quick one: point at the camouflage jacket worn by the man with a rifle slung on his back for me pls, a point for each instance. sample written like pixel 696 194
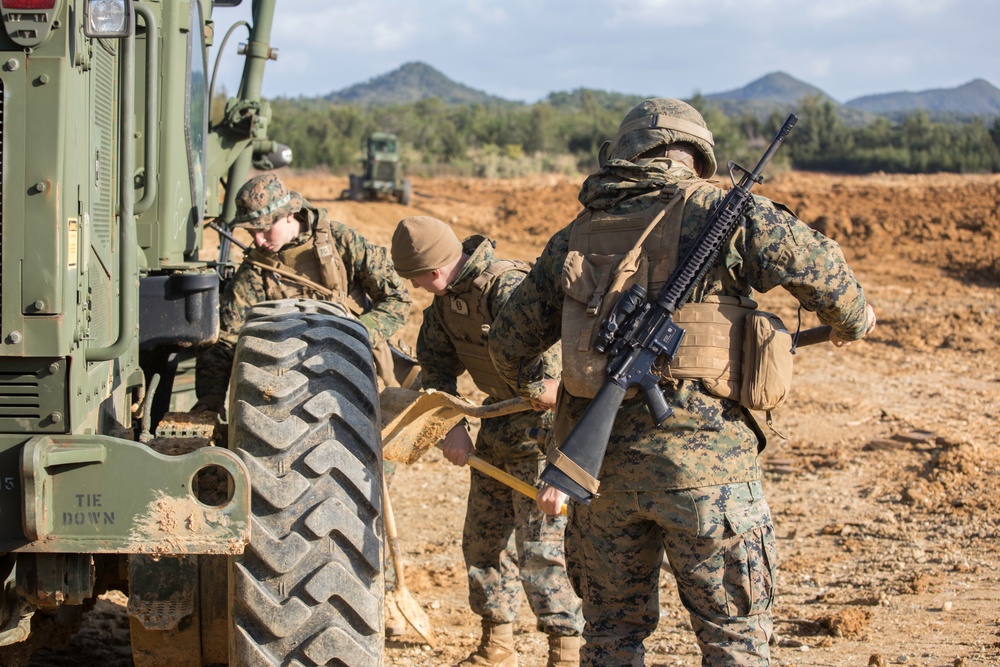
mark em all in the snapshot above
pixel 708 440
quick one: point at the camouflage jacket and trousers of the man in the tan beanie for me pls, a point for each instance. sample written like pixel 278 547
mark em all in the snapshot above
pixel 506 538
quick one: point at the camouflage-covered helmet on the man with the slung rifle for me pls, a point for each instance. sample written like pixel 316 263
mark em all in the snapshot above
pixel 661 121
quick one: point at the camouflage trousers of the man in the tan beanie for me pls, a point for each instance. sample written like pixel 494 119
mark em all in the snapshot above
pixel 508 544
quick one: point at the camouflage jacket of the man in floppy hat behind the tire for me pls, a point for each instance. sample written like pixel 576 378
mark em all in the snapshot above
pixel 368 269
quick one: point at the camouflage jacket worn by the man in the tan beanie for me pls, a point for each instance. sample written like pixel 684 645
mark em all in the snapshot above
pixel 501 439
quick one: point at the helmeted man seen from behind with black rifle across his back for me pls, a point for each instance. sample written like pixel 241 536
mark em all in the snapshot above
pixel 681 474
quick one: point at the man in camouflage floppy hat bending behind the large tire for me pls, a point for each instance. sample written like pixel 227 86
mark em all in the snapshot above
pixel 356 272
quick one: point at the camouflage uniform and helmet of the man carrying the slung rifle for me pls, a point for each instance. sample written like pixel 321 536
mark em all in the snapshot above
pixel 690 488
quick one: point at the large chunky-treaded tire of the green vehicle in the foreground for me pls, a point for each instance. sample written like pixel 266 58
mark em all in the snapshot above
pixel 304 417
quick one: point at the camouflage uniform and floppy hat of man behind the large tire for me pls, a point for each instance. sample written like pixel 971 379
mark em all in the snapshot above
pixel 262 202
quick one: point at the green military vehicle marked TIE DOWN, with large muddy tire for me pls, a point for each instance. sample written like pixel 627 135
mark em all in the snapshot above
pixel 264 550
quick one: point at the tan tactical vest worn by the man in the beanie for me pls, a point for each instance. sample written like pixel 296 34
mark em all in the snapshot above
pixel 466 318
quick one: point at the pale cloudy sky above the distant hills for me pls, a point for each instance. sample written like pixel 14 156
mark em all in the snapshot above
pixel 525 49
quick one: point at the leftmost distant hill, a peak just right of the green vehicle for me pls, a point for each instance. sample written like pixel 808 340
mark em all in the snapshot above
pixel 411 82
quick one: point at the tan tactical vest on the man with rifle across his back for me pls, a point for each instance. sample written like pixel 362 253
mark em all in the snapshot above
pixel 610 253
